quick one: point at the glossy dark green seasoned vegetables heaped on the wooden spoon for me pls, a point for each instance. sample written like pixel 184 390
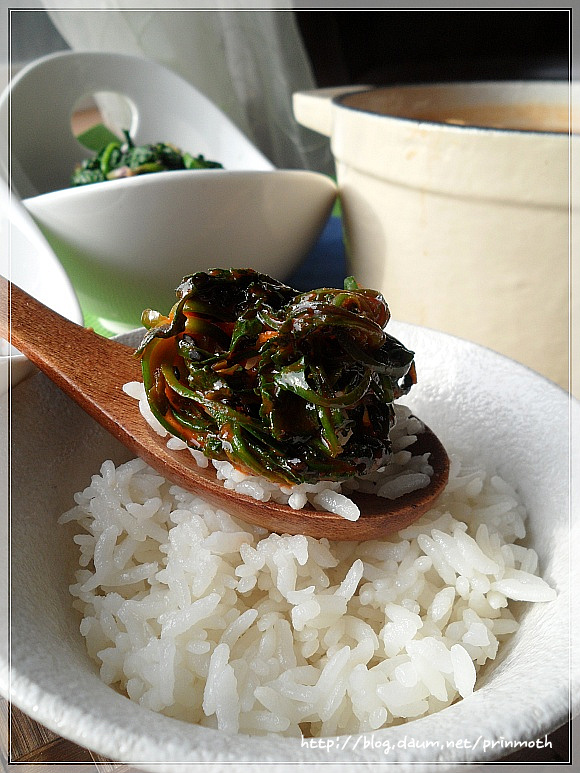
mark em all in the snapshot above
pixel 292 386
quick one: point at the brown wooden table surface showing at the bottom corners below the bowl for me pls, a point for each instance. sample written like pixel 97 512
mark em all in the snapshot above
pixel 22 740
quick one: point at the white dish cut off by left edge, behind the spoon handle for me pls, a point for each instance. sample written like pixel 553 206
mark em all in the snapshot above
pixel 27 260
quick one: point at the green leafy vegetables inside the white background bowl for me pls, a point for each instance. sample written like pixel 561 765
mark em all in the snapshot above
pixel 125 159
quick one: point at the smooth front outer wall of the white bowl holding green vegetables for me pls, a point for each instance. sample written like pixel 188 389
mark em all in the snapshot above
pixel 127 245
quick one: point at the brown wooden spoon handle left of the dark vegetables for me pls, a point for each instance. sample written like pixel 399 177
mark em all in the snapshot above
pixel 88 367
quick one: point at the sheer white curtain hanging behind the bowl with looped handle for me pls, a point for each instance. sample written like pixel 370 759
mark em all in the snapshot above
pixel 248 62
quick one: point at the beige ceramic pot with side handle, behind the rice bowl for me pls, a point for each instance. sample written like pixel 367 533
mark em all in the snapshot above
pixel 456 203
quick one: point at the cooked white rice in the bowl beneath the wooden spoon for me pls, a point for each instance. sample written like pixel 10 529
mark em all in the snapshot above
pixel 197 615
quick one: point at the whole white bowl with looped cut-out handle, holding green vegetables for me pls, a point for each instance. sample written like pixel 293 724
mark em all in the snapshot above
pixel 127 243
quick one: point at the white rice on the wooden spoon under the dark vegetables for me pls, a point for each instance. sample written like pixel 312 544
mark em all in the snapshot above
pixel 404 472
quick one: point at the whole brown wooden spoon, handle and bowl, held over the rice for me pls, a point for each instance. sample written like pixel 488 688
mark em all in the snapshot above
pixel 92 370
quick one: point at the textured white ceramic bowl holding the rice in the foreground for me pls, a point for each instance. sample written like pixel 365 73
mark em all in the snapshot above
pixel 476 400
